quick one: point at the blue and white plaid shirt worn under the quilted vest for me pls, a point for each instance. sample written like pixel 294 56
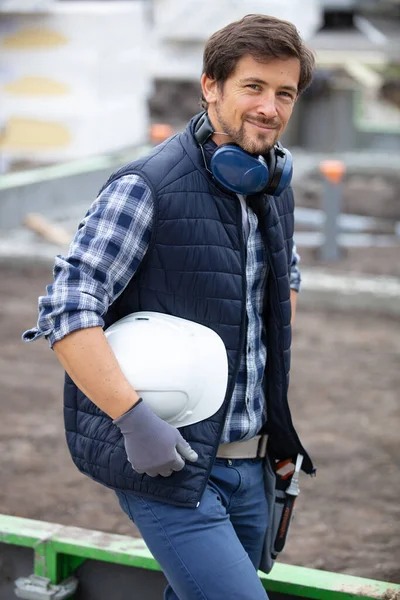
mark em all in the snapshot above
pixel 104 255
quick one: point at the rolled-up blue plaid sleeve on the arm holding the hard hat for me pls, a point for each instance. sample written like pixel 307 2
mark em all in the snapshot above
pixel 105 253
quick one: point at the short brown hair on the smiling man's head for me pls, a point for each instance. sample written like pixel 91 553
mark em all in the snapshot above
pixel 261 36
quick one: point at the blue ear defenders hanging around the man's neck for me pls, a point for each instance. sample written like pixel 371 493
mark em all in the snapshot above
pixel 243 173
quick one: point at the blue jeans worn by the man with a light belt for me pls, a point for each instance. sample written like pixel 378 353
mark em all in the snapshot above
pixel 211 552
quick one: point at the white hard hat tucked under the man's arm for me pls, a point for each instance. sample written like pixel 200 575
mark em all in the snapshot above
pixel 178 367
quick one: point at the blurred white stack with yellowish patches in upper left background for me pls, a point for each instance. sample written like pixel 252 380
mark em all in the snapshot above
pixel 73 81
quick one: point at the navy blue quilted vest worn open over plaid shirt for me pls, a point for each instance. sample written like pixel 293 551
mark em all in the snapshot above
pixel 195 269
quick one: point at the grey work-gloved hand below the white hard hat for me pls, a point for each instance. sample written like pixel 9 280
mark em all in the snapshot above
pixel 153 446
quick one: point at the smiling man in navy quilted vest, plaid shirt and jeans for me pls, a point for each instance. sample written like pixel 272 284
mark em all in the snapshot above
pixel 166 235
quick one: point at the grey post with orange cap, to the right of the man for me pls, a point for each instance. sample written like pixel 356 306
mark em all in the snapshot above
pixel 333 171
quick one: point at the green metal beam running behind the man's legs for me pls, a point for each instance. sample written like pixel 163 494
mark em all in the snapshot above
pixel 60 549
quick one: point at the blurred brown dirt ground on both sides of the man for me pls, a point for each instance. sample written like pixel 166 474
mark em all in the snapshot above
pixel 345 401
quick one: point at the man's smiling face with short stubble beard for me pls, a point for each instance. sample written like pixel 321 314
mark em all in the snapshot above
pixel 255 103
